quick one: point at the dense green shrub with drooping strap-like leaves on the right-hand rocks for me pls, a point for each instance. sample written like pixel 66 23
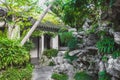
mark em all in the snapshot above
pixel 107 45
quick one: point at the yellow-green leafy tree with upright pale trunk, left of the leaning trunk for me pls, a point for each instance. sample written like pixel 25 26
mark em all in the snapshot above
pixel 18 13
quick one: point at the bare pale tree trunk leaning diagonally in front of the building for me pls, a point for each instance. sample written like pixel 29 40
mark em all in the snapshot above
pixel 35 25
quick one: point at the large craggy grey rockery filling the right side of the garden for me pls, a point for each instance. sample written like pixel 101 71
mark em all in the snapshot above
pixel 89 58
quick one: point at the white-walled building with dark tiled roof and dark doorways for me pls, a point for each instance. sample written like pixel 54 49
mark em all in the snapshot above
pixel 46 41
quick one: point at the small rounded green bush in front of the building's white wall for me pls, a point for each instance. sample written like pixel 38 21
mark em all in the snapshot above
pixel 50 53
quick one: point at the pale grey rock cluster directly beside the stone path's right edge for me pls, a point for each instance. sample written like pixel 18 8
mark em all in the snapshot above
pixel 62 66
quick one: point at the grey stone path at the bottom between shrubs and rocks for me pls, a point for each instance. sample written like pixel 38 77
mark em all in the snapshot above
pixel 42 73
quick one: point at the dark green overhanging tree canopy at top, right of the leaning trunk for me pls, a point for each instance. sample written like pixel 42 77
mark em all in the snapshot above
pixel 74 12
